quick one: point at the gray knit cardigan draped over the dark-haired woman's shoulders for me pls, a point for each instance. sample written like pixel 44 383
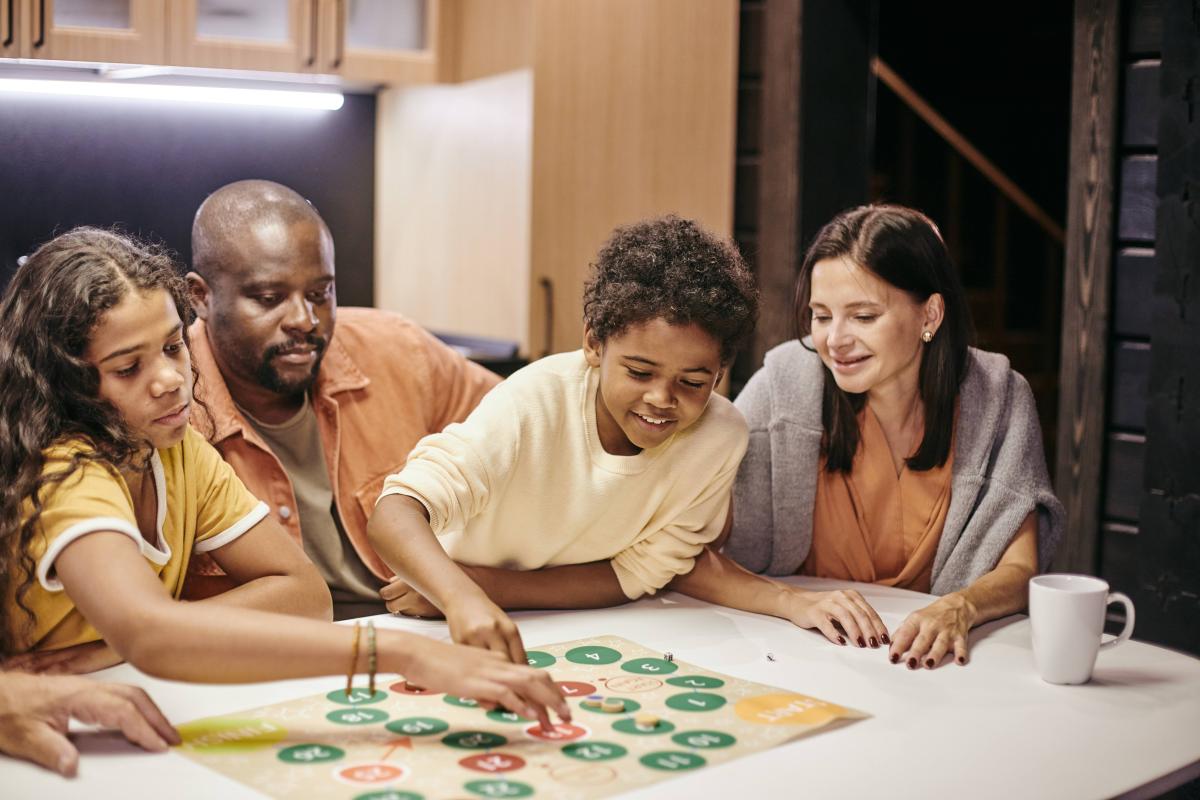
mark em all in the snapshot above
pixel 1000 471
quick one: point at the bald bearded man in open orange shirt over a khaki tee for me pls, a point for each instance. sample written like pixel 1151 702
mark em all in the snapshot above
pixel 313 423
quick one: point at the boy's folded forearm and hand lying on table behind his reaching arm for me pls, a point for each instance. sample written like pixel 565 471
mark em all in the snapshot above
pixel 577 586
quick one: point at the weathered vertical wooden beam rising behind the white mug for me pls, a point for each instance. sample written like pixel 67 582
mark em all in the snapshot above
pixel 1085 312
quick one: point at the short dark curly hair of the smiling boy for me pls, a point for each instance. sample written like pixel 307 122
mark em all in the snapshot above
pixel 674 269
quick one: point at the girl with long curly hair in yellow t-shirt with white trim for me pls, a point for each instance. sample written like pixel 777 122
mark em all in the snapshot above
pixel 106 494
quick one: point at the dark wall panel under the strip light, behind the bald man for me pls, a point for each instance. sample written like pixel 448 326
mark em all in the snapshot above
pixel 147 167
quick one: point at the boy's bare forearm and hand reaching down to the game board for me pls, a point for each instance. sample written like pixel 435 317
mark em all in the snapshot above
pixel 400 532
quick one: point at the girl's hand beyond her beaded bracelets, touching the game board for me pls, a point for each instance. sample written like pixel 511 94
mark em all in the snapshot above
pixel 488 677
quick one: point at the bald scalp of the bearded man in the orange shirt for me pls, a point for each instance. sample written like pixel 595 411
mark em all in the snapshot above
pixel 243 219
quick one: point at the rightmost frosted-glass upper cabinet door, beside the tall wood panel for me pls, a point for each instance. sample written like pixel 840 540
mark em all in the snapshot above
pixel 380 41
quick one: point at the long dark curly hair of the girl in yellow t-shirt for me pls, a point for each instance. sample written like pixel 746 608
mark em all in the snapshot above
pixel 51 394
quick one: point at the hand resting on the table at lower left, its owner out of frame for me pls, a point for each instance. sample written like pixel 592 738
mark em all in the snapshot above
pixel 35 712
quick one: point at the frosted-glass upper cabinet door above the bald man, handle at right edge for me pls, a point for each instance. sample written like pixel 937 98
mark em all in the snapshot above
pixel 277 35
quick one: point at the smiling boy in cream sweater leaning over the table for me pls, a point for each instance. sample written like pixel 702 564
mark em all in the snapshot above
pixel 589 478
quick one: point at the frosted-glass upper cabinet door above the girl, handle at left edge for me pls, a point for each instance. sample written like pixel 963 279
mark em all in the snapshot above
pixel 116 32
